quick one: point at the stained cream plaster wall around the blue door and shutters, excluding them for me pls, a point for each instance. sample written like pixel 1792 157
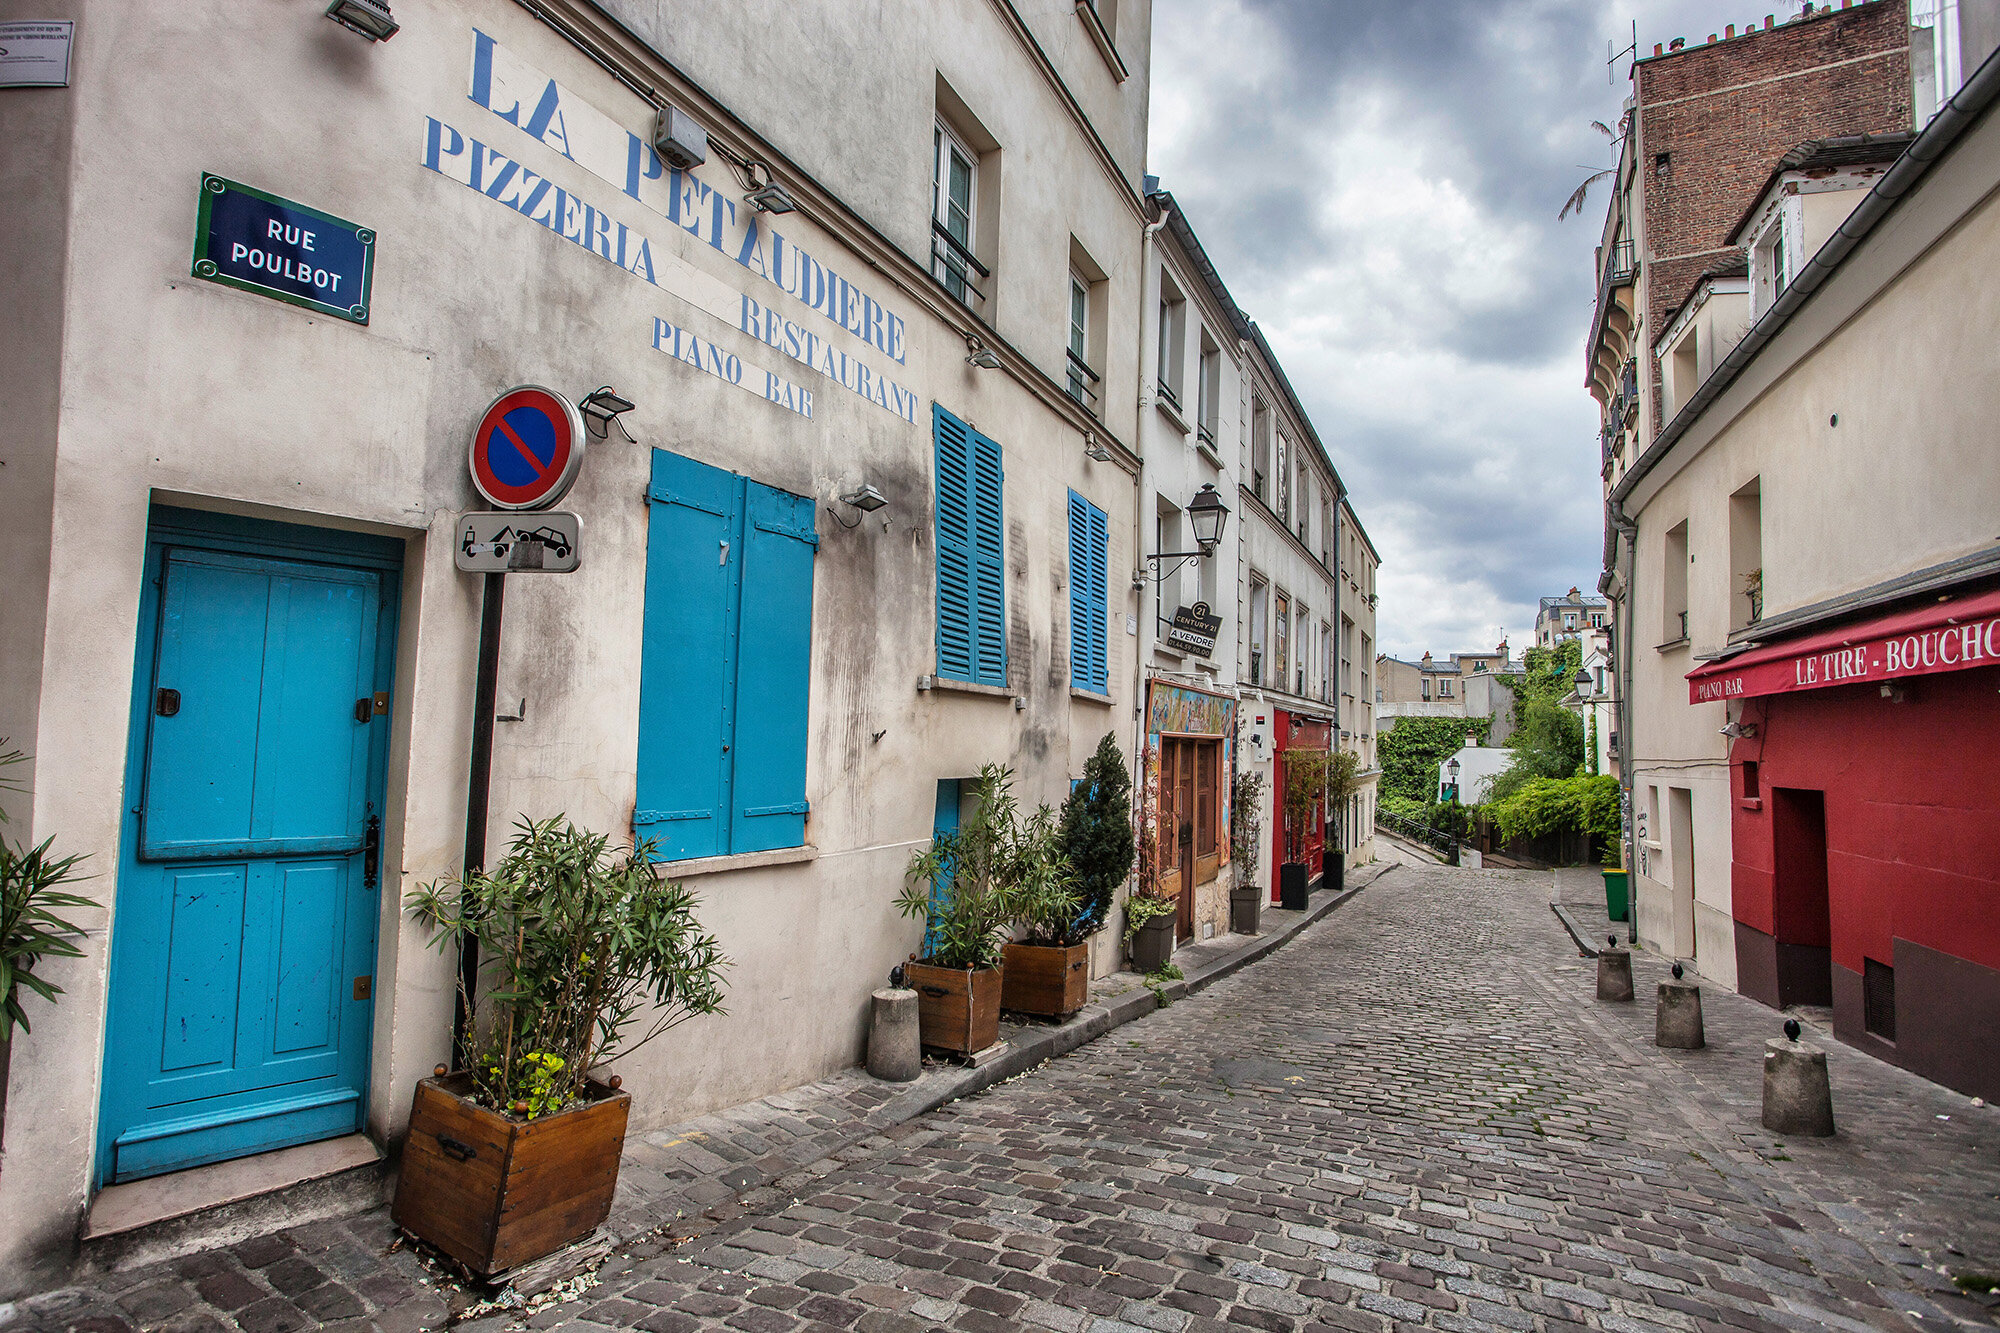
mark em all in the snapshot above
pixel 189 393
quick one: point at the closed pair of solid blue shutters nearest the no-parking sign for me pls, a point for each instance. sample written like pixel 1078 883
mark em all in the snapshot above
pixel 725 663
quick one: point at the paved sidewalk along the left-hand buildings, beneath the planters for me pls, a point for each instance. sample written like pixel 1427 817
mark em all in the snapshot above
pixel 675 1184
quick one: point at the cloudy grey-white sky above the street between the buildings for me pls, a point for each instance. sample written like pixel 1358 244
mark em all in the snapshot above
pixel 1379 185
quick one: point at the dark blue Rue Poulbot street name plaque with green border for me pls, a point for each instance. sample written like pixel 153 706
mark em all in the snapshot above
pixel 273 247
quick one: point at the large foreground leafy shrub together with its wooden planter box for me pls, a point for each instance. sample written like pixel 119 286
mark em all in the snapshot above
pixel 587 956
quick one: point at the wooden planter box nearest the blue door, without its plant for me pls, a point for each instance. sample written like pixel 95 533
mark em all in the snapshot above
pixel 497 1194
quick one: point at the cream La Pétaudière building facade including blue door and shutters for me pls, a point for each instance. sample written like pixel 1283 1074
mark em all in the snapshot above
pixel 773 682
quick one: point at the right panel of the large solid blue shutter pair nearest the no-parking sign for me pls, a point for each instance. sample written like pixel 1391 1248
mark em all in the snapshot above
pixel 769 792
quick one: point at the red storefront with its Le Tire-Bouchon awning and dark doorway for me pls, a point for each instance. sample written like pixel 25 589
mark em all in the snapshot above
pixel 1867 832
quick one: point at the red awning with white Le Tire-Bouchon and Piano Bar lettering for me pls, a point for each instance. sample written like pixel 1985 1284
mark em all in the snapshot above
pixel 1911 643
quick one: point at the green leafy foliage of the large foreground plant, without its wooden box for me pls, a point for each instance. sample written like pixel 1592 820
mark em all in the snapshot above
pixel 587 954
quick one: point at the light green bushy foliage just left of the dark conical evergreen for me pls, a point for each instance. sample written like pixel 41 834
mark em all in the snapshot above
pixel 969 886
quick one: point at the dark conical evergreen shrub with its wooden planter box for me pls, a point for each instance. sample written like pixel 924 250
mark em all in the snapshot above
pixel 1049 972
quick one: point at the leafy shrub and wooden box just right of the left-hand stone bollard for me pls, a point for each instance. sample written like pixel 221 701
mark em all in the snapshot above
pixel 959 888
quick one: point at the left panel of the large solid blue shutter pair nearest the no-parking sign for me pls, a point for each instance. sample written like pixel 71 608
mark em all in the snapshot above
pixel 687 659
